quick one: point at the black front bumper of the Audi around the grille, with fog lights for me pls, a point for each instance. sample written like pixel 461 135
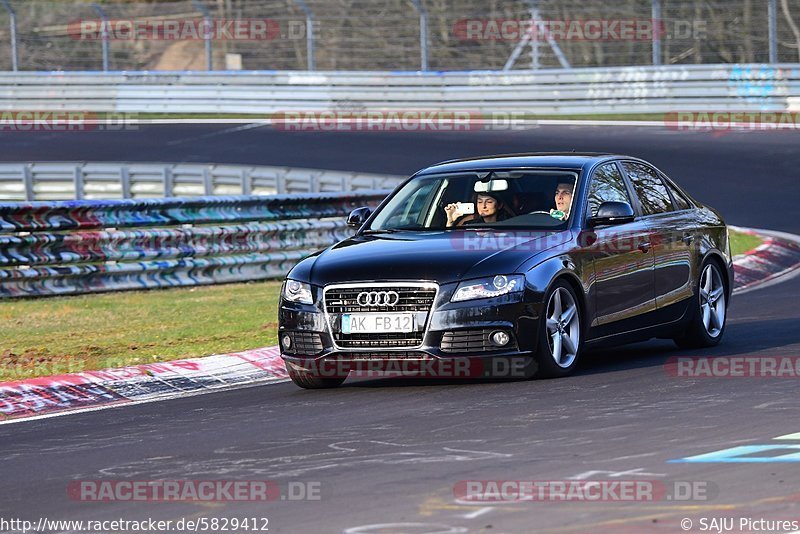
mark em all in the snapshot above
pixel 455 340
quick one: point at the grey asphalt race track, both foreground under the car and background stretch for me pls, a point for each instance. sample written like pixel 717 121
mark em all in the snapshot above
pixel 391 451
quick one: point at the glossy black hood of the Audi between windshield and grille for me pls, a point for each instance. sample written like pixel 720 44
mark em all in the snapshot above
pixel 438 256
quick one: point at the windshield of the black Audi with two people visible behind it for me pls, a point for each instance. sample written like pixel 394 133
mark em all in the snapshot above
pixel 501 199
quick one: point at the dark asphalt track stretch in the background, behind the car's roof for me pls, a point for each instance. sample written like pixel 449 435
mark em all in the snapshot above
pixel 751 176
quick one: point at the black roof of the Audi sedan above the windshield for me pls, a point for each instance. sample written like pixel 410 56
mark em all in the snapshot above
pixel 559 160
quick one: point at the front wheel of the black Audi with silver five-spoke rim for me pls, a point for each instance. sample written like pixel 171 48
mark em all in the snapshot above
pixel 560 334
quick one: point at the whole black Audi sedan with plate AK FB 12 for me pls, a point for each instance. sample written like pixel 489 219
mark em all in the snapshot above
pixel 516 262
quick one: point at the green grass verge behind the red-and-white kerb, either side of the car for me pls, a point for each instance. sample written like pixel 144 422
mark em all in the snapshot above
pixel 41 337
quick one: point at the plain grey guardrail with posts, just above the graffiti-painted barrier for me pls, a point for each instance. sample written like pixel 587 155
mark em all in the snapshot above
pixel 79 180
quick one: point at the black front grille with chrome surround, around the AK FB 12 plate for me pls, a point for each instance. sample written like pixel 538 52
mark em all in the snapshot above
pixel 412 299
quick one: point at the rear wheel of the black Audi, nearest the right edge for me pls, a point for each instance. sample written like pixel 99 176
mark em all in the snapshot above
pixel 708 316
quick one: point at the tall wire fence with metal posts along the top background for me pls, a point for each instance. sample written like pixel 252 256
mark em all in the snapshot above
pixel 392 34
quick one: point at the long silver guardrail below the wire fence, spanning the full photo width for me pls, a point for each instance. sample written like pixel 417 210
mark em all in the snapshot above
pixel 748 87
